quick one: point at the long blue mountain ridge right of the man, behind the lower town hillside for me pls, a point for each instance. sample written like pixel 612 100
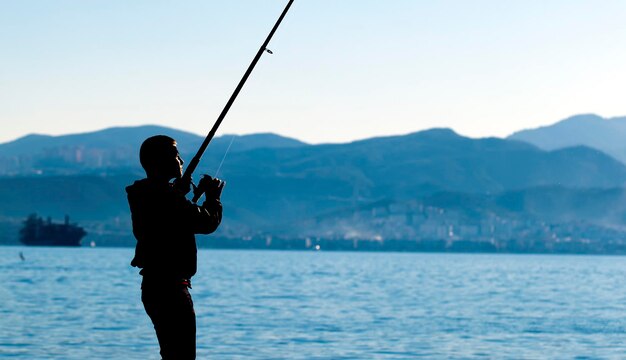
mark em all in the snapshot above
pixel 429 161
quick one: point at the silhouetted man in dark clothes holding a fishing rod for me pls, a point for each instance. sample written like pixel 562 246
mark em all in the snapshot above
pixel 164 224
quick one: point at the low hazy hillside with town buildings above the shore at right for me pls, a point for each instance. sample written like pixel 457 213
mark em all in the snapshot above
pixel 535 215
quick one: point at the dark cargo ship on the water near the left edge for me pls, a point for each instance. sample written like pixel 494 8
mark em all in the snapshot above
pixel 37 232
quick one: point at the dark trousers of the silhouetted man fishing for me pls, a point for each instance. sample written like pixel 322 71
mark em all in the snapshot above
pixel 170 308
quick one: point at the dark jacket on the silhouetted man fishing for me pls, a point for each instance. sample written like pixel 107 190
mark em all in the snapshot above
pixel 164 224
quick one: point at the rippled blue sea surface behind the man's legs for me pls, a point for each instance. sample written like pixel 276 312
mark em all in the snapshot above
pixel 62 303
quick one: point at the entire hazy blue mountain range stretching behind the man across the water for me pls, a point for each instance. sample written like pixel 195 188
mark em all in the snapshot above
pixel 432 184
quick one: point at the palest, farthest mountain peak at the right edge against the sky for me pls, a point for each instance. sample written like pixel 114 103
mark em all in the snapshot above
pixel 607 135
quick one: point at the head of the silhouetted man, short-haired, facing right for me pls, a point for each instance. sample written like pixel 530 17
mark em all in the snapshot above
pixel 160 158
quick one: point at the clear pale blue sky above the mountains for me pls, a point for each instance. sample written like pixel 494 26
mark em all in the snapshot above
pixel 341 69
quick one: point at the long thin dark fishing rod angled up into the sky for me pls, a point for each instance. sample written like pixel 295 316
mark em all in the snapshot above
pixel 185 181
